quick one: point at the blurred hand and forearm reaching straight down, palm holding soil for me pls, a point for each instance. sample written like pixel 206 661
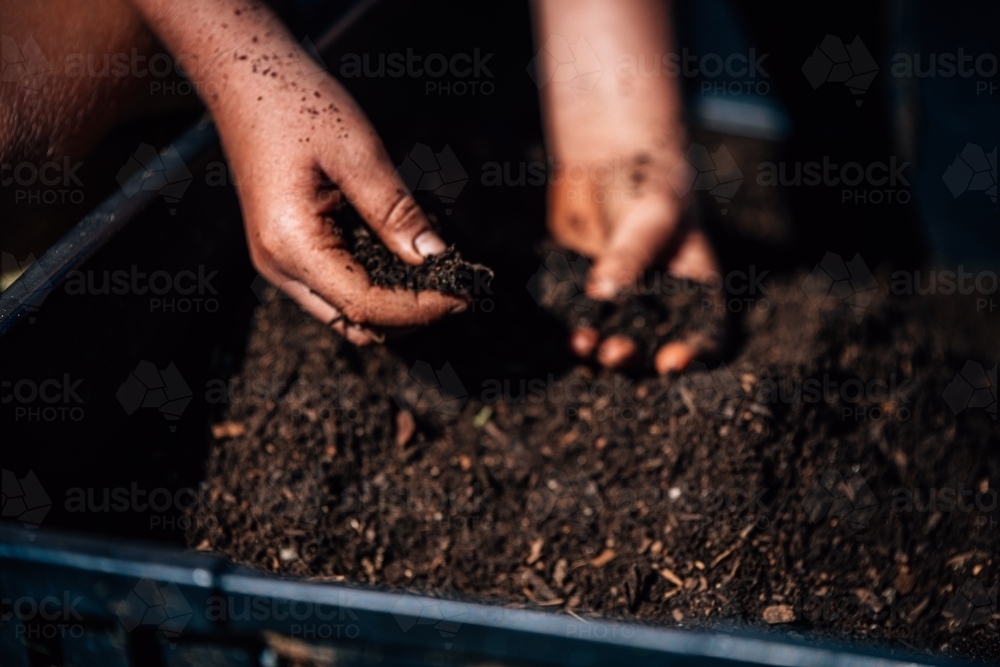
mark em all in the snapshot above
pixel 616 132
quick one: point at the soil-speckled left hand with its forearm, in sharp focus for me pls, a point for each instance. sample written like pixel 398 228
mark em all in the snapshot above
pixel 297 142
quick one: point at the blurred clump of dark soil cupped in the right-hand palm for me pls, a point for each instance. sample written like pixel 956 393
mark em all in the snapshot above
pixel 657 310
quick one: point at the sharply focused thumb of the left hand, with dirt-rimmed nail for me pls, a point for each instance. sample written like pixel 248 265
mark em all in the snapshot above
pixel 376 190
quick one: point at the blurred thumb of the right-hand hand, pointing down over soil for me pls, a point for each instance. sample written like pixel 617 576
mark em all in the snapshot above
pixel 644 231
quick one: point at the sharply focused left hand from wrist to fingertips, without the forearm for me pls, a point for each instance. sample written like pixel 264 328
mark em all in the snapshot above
pixel 281 147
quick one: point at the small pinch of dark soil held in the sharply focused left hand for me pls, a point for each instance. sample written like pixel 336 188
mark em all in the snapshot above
pixel 447 272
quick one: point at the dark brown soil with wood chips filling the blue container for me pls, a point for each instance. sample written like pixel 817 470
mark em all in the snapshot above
pixel 816 482
